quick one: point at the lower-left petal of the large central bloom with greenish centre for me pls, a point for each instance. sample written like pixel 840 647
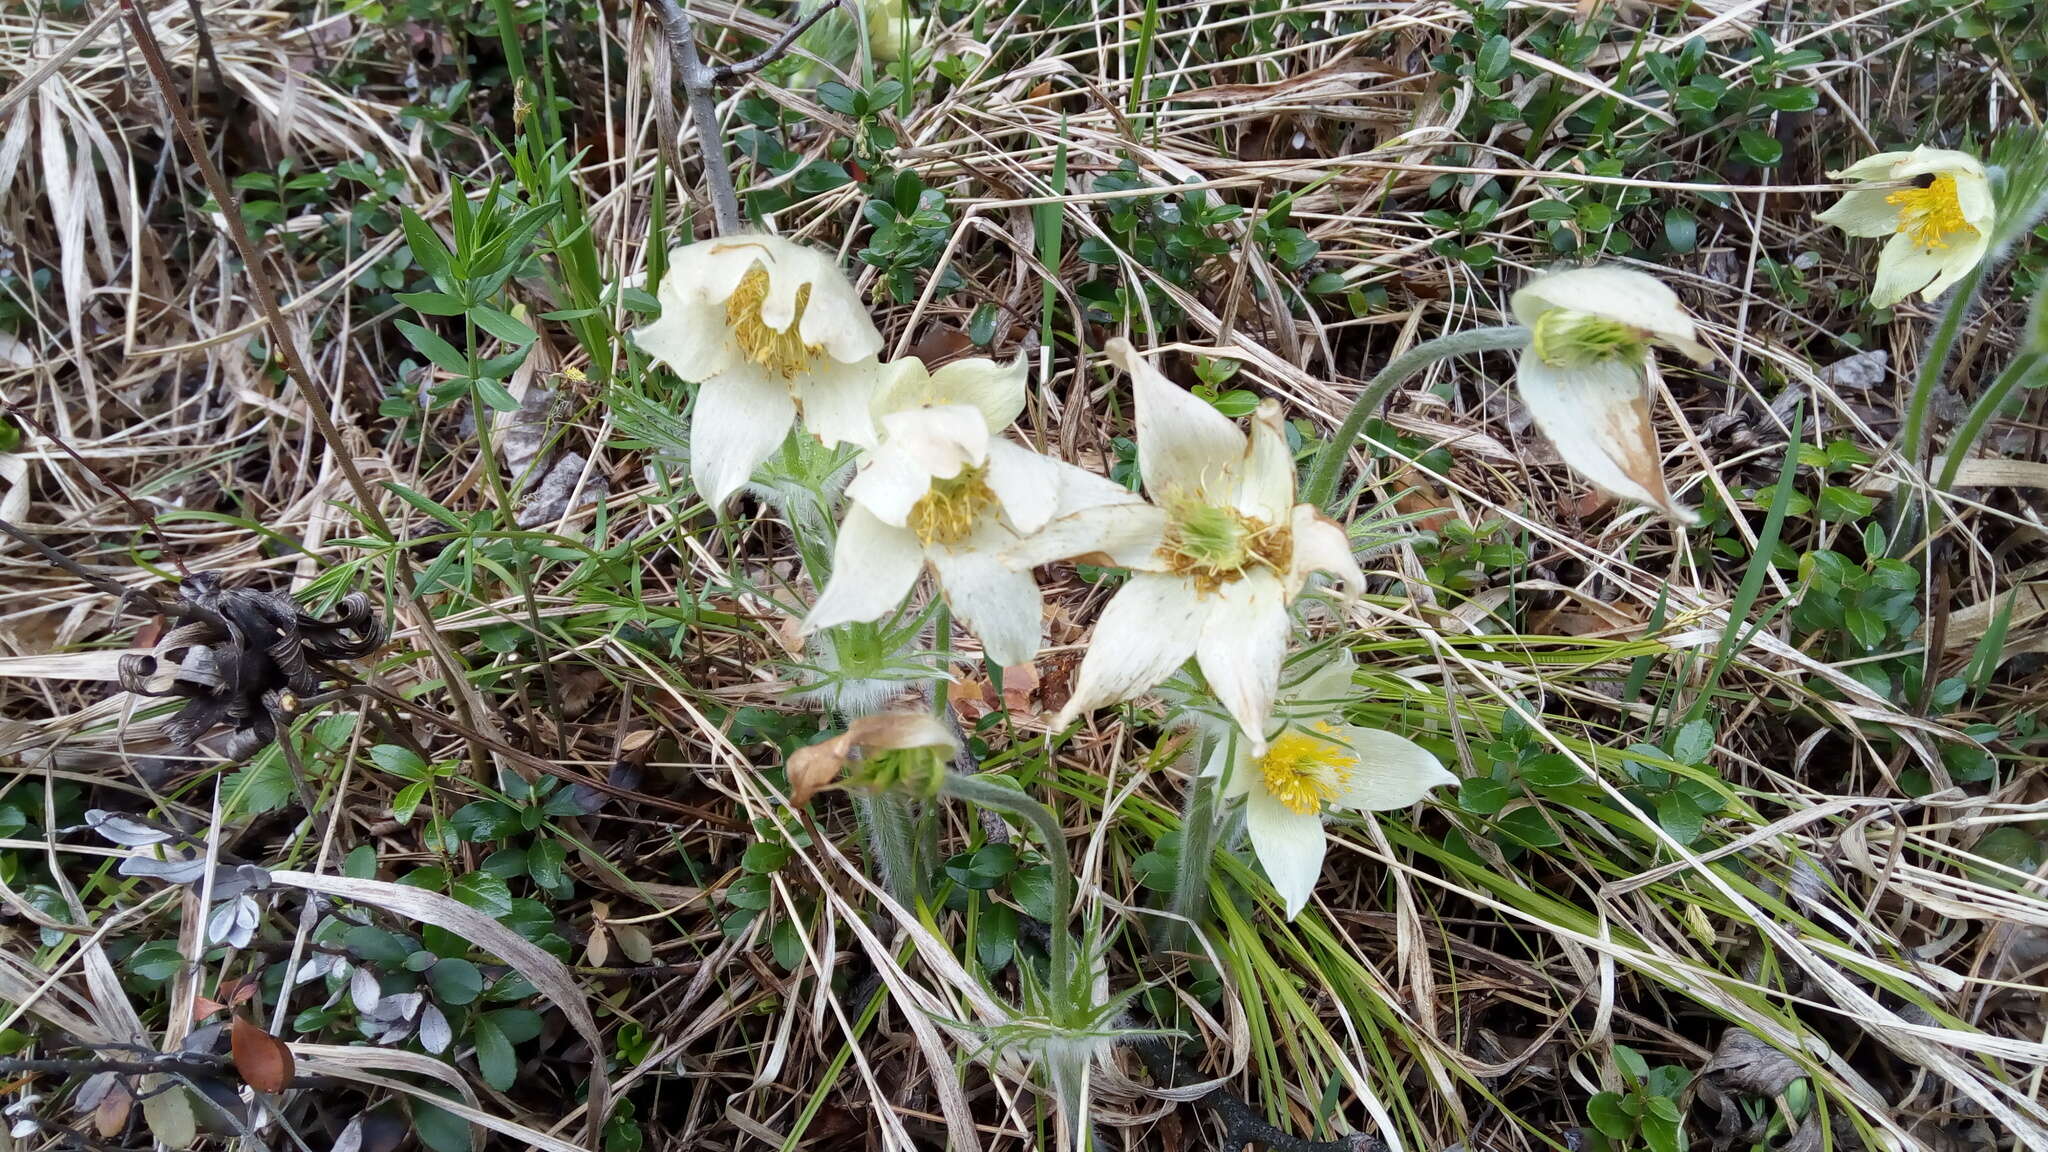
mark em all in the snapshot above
pixel 1146 632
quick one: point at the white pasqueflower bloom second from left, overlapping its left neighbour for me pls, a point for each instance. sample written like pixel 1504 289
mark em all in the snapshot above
pixel 945 491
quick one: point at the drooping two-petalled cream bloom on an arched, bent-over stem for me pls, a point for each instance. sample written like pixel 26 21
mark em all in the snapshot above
pixel 1584 376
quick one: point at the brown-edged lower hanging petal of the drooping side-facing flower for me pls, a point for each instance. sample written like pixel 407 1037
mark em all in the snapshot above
pixel 1598 417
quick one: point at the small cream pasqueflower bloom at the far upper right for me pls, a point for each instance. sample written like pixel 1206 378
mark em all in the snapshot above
pixel 1940 229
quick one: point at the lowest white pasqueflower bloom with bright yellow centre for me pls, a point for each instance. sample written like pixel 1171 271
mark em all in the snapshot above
pixel 1318 764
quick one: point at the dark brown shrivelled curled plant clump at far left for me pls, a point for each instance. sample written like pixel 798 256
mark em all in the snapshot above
pixel 239 651
